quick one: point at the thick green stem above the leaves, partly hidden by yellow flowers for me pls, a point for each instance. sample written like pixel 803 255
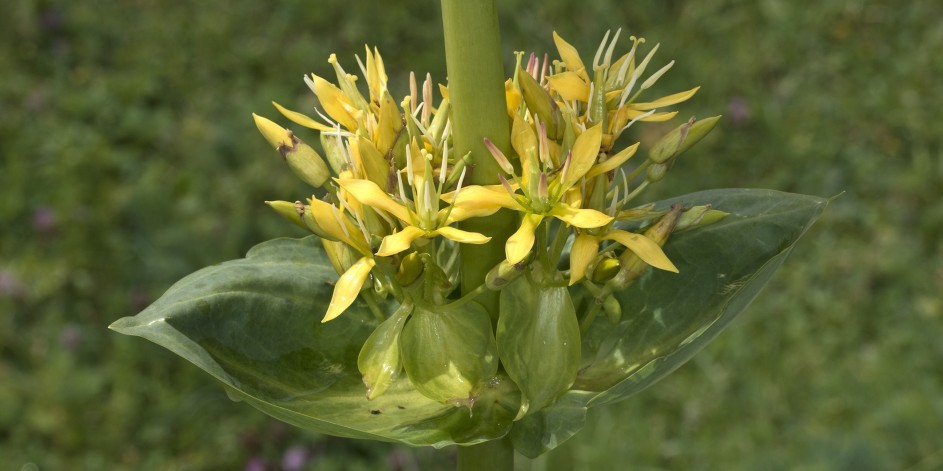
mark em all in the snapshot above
pixel 476 93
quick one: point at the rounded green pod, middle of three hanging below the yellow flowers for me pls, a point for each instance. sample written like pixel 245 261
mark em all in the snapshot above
pixel 449 353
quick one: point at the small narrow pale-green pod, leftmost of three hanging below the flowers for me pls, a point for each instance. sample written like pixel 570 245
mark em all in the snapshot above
pixel 380 361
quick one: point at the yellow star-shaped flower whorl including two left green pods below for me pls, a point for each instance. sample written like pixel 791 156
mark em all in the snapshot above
pixel 391 191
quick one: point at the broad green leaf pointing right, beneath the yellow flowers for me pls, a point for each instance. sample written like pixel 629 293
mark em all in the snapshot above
pixel 668 317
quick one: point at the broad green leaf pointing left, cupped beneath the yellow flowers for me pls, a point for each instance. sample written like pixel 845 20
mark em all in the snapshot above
pixel 254 324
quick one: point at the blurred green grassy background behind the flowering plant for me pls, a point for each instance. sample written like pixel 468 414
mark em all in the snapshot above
pixel 129 159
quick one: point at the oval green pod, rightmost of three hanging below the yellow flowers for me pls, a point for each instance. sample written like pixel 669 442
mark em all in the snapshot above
pixel 538 341
